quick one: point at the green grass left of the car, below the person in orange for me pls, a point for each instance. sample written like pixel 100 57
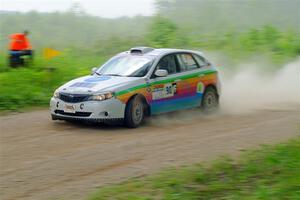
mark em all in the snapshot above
pixel 34 85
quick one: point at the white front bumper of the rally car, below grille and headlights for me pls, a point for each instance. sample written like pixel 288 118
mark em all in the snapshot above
pixel 98 111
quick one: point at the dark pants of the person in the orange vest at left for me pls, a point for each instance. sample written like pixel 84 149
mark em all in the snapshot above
pixel 17 58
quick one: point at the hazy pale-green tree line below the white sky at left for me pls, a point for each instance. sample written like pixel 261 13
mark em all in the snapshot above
pixel 61 30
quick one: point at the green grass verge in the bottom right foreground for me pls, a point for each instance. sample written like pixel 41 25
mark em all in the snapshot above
pixel 272 172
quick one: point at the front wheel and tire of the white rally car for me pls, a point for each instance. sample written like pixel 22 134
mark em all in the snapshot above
pixel 134 112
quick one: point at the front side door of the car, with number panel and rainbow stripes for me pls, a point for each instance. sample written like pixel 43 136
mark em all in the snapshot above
pixel 164 93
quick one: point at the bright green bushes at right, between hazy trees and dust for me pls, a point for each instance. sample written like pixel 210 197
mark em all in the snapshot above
pixel 279 46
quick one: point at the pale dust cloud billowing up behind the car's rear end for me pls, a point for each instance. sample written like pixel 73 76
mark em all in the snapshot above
pixel 251 88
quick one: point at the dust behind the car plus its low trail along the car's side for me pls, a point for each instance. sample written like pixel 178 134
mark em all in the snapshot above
pixel 247 88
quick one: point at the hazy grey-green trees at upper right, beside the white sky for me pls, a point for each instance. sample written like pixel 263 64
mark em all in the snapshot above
pixel 207 16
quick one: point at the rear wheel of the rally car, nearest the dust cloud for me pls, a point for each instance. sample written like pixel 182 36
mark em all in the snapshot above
pixel 210 100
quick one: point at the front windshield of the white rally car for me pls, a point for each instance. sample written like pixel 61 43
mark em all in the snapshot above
pixel 129 65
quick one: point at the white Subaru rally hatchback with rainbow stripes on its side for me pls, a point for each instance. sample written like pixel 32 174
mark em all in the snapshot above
pixel 137 83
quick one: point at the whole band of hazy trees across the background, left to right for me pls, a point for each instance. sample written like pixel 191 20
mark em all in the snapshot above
pixel 178 19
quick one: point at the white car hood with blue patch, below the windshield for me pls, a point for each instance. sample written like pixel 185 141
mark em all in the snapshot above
pixel 94 83
